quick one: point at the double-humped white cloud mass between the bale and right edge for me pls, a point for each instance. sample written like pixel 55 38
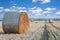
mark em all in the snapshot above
pixel 37 12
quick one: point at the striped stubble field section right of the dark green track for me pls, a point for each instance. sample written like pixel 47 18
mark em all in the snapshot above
pixel 54 30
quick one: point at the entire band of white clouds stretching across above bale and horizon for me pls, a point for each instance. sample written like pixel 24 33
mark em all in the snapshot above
pixel 34 12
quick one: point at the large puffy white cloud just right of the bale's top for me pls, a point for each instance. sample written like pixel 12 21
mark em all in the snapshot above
pixel 35 11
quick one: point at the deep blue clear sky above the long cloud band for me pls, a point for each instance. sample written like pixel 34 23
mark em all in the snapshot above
pixel 29 3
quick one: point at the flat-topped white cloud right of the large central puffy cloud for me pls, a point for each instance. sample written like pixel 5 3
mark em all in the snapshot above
pixel 49 12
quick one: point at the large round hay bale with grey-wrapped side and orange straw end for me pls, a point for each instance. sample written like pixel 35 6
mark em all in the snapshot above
pixel 15 22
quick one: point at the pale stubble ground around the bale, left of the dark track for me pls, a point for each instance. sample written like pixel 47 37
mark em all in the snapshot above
pixel 35 32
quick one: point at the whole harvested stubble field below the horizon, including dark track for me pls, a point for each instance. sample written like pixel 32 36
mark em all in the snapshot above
pixel 38 30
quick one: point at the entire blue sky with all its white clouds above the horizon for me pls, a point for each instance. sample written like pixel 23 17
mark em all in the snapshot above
pixel 34 8
